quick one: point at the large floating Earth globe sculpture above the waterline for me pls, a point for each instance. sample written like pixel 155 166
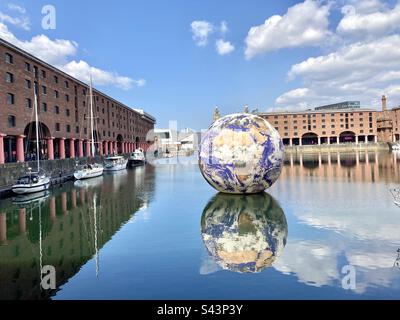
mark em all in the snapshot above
pixel 241 153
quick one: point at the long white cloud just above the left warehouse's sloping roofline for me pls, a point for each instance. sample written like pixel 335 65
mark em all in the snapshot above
pixel 59 52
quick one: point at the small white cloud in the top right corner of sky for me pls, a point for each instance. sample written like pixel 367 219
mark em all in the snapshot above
pixel 356 22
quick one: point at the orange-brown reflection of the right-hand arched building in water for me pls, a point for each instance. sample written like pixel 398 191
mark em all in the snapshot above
pixel 352 167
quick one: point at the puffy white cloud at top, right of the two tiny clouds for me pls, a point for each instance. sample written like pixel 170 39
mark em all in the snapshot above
pixel 304 24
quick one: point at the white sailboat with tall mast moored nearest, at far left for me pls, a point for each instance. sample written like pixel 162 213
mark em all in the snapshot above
pixel 32 181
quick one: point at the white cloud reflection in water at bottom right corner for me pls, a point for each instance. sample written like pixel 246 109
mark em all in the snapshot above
pixel 316 263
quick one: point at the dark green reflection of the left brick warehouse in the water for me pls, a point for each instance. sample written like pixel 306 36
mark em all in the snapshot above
pixel 71 233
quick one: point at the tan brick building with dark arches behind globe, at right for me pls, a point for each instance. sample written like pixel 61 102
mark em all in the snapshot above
pixel 356 125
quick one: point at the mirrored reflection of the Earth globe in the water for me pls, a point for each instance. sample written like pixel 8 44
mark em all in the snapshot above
pixel 244 233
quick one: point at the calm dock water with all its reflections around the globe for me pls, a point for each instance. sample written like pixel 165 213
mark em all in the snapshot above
pixel 161 232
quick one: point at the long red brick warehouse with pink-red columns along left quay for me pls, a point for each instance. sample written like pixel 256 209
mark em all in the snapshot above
pixel 63 113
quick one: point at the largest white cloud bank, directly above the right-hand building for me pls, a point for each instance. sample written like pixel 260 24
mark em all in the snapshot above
pixel 359 71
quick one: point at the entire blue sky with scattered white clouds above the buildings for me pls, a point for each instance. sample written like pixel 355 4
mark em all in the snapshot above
pixel 146 56
